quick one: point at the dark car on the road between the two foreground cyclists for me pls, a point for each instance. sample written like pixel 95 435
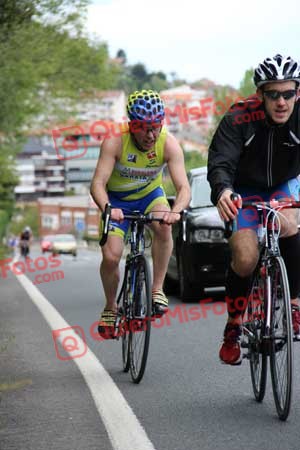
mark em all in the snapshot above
pixel 201 261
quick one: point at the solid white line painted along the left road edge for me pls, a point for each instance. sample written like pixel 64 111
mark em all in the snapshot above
pixel 124 430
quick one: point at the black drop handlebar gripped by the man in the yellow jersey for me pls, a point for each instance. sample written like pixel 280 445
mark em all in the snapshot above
pixel 135 216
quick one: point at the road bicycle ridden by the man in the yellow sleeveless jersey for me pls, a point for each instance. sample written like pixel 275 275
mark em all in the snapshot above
pixel 134 302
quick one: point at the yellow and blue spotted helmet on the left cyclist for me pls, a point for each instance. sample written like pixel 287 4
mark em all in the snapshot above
pixel 145 106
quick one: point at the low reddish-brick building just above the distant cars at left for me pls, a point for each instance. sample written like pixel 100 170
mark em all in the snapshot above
pixel 78 215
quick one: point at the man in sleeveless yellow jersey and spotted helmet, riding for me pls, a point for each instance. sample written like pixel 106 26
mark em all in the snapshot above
pixel 129 176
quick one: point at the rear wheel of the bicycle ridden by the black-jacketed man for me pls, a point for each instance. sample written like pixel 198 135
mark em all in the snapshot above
pixel 256 349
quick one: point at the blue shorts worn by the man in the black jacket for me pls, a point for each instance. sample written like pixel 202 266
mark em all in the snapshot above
pixel 248 218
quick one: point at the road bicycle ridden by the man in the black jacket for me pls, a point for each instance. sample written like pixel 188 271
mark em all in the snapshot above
pixel 267 329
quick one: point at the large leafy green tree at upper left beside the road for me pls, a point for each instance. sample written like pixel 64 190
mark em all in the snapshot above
pixel 44 56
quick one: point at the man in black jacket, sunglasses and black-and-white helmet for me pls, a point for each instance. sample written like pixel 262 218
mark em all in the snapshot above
pixel 256 152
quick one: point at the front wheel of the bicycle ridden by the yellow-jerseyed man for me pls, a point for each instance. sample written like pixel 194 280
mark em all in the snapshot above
pixel 139 329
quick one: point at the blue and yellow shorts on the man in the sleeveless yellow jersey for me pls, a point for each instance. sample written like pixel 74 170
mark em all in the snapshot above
pixel 144 205
